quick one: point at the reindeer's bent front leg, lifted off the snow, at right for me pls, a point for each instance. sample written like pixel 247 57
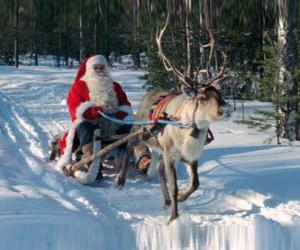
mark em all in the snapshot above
pixel 194 182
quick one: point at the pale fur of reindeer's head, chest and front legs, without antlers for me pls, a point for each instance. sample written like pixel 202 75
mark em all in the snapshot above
pixel 175 144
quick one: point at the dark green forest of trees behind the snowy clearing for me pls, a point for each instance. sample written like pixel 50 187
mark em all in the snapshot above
pixel 258 37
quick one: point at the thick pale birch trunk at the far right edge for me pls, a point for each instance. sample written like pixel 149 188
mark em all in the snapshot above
pixel 286 33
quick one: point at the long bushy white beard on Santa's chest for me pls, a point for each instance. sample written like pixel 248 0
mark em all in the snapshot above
pixel 101 92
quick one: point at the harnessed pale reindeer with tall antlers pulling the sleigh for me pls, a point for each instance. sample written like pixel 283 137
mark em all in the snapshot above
pixel 199 104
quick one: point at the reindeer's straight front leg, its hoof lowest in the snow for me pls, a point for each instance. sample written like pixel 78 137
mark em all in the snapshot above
pixel 172 181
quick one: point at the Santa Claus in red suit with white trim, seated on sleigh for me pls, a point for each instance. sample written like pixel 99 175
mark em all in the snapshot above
pixel 92 92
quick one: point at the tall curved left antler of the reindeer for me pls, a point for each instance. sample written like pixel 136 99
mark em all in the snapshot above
pixel 167 64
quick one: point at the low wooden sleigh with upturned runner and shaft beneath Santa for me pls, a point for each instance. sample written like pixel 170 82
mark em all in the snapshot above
pixel 108 157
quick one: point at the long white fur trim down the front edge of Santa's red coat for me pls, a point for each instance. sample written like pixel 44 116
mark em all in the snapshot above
pixel 66 157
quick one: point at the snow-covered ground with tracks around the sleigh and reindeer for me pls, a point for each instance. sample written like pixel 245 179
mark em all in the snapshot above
pixel 249 195
